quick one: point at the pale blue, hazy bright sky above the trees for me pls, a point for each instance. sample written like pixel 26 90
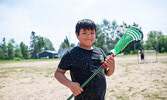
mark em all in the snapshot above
pixel 56 19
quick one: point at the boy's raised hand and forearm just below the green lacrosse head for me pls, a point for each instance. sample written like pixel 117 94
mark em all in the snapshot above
pixel 110 66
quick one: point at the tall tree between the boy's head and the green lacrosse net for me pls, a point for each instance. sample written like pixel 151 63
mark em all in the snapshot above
pixel 107 35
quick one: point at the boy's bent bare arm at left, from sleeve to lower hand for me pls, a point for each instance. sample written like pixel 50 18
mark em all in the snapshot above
pixel 74 86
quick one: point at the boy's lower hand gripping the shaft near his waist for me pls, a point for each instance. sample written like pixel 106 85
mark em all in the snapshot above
pixel 75 88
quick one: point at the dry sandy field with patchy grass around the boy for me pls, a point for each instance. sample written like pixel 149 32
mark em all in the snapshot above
pixel 130 81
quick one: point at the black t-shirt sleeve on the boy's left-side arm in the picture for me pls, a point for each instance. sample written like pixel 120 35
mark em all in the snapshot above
pixel 65 62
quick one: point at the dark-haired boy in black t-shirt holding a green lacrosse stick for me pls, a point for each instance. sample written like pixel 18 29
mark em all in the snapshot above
pixel 82 61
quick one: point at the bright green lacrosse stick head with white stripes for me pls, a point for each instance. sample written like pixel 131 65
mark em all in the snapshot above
pixel 132 34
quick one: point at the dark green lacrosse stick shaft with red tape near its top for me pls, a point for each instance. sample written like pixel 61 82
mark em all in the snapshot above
pixel 91 77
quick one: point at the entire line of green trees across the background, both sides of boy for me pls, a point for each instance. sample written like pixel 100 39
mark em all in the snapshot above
pixel 107 35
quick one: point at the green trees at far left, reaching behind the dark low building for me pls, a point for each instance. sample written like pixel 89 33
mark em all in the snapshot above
pixel 11 50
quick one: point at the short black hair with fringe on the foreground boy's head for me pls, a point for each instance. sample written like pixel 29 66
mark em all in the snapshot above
pixel 85 24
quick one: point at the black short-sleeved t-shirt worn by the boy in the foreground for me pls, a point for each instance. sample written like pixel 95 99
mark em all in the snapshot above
pixel 82 63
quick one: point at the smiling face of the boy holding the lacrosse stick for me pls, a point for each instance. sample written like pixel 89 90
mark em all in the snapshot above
pixel 86 37
